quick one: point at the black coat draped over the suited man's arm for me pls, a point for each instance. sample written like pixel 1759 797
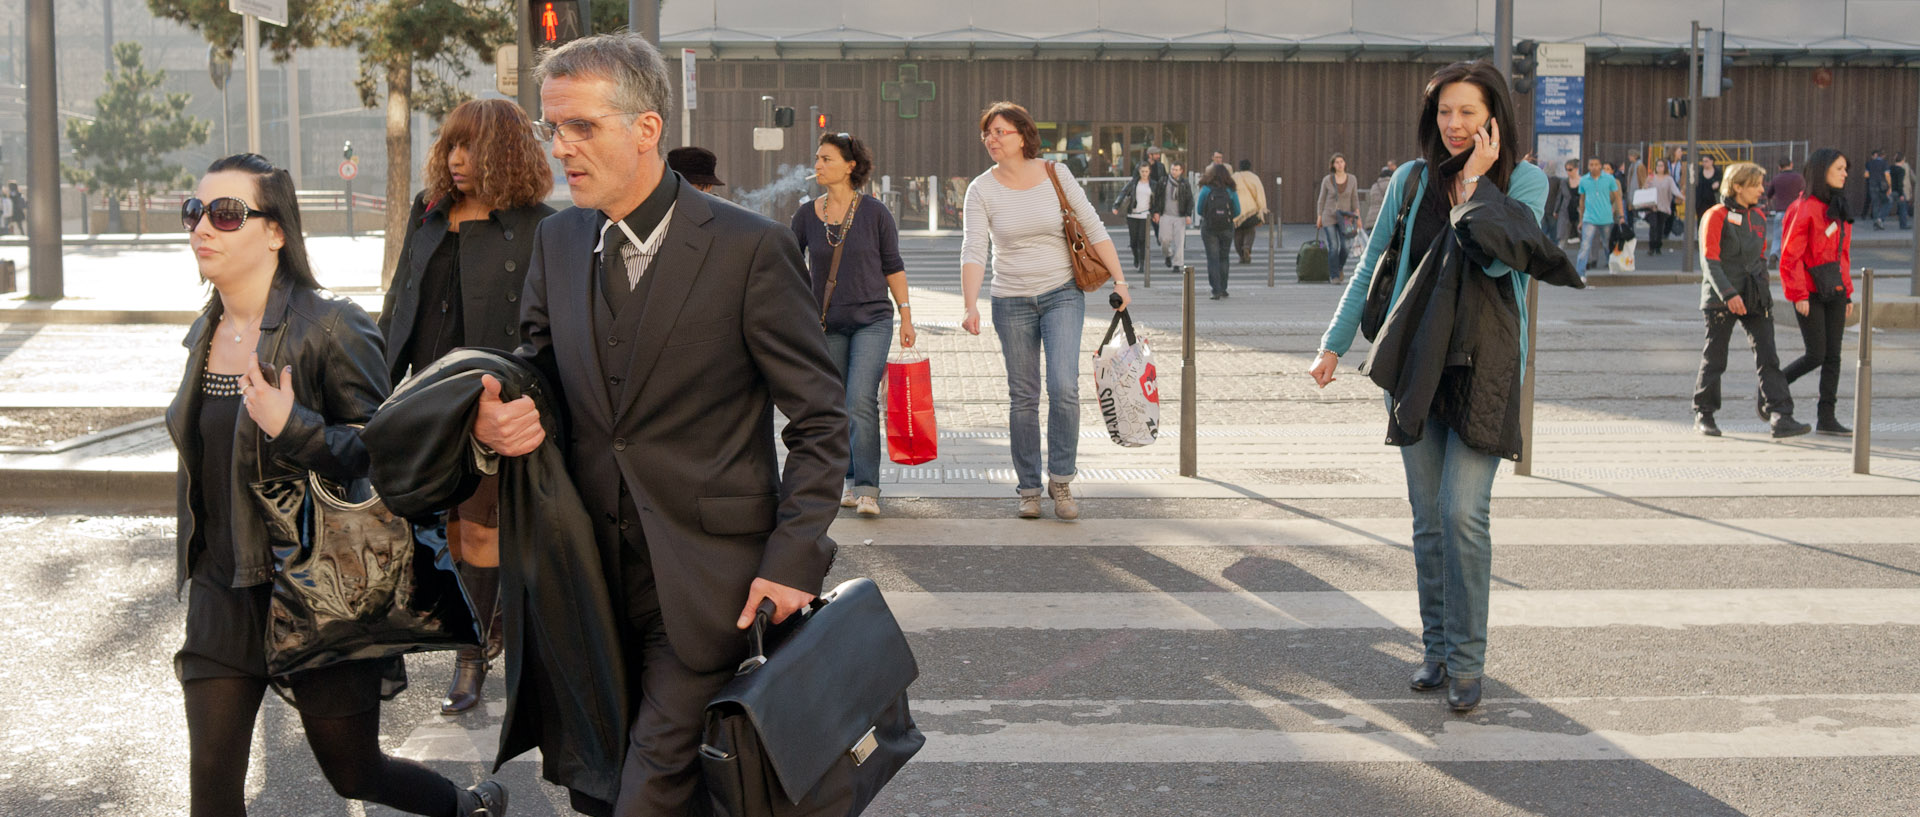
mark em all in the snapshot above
pixel 567 691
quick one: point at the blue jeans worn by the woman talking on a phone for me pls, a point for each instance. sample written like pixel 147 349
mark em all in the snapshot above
pixel 1451 488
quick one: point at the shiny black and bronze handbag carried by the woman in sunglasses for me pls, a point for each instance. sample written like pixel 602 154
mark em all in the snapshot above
pixel 354 582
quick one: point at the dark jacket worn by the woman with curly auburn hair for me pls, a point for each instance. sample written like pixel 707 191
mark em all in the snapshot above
pixel 492 275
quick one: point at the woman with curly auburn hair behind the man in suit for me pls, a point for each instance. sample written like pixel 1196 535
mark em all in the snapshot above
pixel 462 266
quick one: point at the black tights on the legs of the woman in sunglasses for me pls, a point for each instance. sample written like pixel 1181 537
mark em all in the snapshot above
pixel 220 726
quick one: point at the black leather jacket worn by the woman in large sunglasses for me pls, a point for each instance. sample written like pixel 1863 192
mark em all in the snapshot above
pixel 339 383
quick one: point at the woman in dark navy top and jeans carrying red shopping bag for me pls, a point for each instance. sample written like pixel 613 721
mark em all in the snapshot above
pixel 853 250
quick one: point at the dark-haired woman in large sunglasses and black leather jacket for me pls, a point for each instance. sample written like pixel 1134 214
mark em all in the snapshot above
pixel 279 377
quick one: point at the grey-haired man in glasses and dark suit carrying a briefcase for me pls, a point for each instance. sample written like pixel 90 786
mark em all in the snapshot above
pixel 673 325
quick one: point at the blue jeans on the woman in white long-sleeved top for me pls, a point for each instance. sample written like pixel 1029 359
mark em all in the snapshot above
pixel 1026 325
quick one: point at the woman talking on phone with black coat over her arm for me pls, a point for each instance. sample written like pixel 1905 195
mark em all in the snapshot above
pixel 1474 212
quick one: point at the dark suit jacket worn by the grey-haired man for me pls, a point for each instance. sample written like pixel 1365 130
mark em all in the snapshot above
pixel 729 333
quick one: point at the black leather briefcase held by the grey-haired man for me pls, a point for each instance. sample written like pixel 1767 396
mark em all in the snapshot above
pixel 815 722
